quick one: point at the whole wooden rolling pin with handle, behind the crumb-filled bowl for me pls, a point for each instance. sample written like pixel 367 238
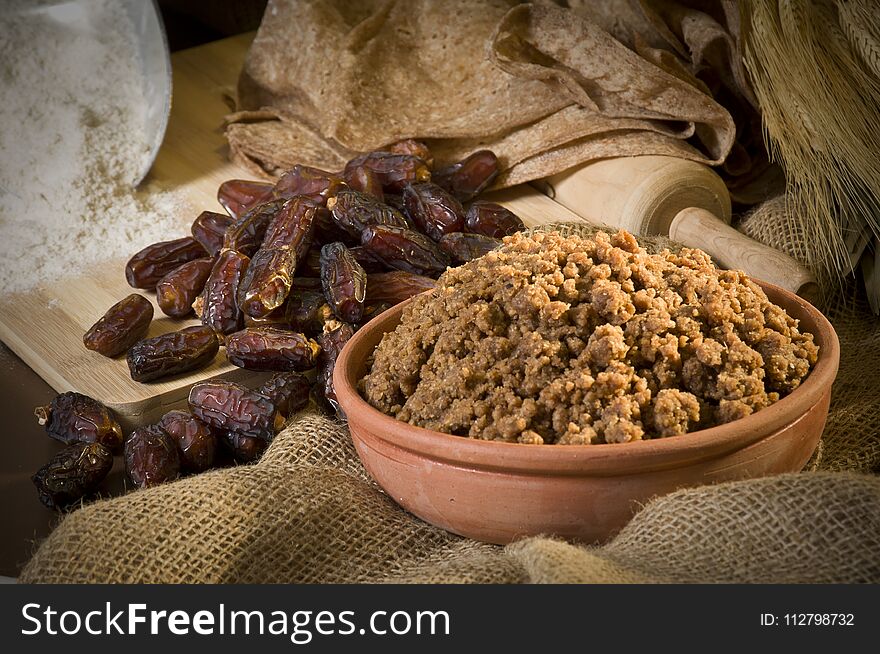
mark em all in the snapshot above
pixel 681 199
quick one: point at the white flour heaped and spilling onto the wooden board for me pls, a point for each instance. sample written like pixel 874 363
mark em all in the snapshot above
pixel 71 143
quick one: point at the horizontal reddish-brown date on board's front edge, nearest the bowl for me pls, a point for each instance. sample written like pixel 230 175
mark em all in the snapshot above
pixel 269 348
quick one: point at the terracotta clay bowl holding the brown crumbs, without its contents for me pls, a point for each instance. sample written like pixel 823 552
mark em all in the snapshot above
pixel 497 492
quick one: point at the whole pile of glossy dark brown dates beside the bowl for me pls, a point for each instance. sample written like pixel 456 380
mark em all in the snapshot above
pixel 281 281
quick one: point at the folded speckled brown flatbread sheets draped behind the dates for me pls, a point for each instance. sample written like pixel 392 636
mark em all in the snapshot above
pixel 544 86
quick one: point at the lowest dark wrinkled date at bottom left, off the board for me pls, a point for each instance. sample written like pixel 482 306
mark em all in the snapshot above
pixel 73 473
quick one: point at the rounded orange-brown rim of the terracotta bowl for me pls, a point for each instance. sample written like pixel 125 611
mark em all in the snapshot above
pixel 605 459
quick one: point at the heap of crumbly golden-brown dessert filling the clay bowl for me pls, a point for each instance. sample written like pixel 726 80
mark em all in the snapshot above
pixel 586 340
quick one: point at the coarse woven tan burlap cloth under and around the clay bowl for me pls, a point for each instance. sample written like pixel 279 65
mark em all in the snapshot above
pixel 308 512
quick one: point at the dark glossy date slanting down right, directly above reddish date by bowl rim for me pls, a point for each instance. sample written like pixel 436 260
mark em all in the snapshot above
pixel 405 249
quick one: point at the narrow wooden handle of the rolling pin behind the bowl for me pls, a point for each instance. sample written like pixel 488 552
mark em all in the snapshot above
pixel 731 249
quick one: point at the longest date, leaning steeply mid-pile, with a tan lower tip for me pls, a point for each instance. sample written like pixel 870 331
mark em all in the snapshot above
pixel 268 280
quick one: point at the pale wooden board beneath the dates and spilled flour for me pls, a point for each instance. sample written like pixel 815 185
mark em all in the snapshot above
pixel 45 327
